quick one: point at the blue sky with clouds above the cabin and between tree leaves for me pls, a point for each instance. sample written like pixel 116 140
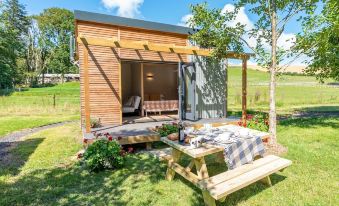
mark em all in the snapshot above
pixel 164 11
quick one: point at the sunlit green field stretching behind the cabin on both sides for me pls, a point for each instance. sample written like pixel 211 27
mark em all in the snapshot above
pixel 35 106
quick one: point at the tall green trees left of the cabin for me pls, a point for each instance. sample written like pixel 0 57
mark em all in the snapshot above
pixel 31 45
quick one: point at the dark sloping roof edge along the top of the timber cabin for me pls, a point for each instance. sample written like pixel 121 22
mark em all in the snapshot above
pixel 128 22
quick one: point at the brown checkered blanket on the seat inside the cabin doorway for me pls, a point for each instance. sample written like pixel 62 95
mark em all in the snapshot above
pixel 162 105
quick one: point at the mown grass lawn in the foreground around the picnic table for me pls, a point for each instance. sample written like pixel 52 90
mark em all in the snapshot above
pixel 44 173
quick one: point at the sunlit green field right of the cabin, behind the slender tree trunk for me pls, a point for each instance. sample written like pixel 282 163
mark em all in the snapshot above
pixel 294 92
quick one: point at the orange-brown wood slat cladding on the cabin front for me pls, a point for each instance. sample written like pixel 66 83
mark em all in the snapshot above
pixel 103 66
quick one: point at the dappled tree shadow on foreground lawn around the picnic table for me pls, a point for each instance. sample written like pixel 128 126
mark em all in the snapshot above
pixel 73 185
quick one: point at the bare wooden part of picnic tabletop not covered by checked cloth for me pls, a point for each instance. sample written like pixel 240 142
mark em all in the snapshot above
pixel 204 150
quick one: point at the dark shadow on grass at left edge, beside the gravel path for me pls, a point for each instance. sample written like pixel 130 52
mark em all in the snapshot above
pixel 12 160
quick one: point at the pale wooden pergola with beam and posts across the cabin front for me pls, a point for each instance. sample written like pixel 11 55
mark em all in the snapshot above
pixel 156 47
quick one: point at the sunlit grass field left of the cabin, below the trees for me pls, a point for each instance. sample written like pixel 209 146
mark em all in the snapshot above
pixel 34 107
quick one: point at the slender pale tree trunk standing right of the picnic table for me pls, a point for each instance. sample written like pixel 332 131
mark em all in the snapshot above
pixel 272 114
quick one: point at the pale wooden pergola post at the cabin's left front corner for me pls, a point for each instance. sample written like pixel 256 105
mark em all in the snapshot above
pixel 86 91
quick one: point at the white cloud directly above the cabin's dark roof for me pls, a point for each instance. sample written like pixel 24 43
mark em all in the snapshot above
pixel 125 8
